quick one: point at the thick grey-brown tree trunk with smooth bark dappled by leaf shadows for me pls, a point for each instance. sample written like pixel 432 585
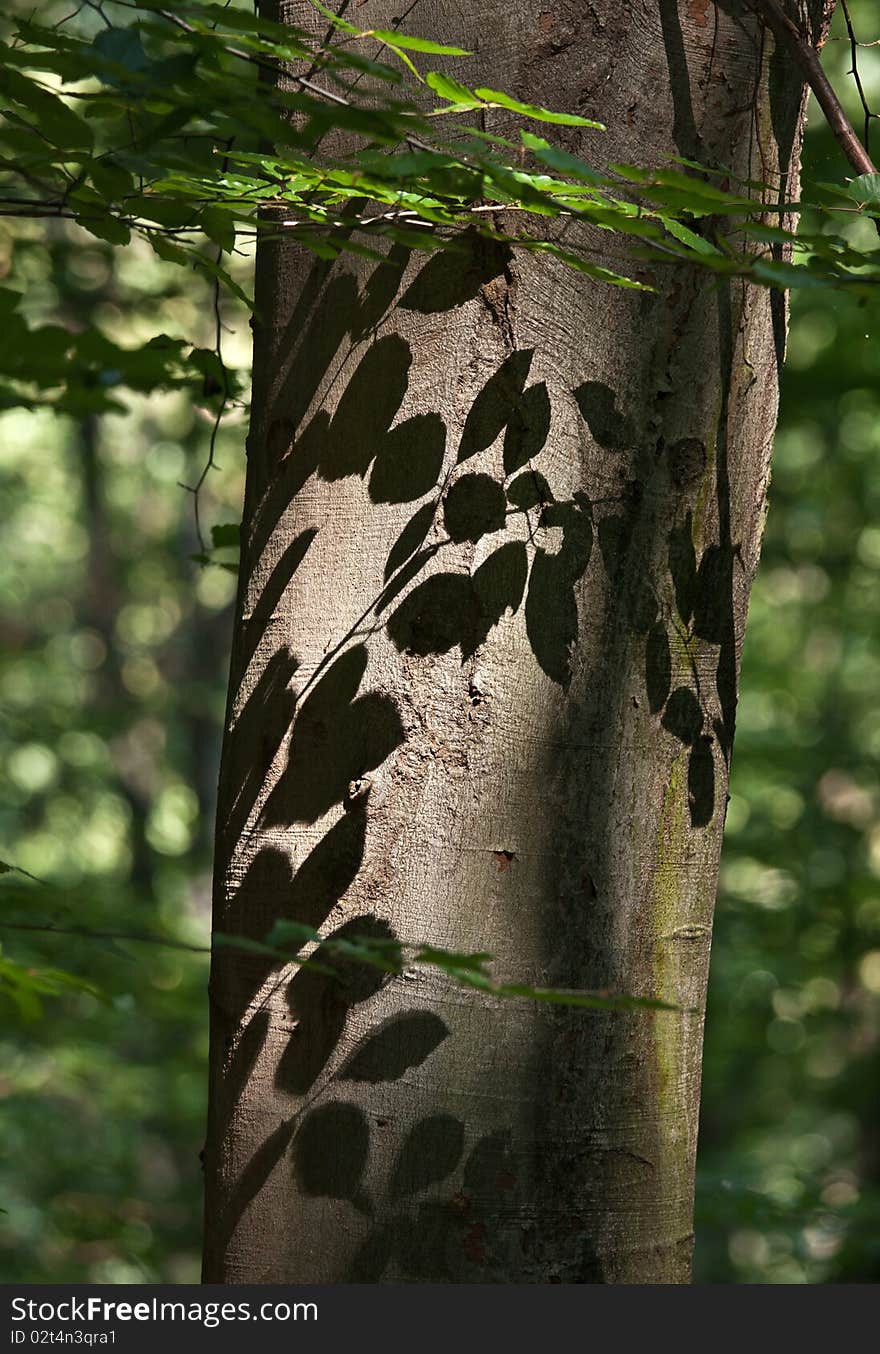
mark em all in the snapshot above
pixel 495 725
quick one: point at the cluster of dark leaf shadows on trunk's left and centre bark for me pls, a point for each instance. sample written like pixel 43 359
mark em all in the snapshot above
pixel 336 736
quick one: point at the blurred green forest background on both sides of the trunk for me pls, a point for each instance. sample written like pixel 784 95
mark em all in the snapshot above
pixel 113 672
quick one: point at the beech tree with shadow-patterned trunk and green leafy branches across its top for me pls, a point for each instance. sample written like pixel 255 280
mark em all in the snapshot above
pixel 514 407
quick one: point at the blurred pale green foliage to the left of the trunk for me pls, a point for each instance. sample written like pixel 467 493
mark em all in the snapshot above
pixel 114 659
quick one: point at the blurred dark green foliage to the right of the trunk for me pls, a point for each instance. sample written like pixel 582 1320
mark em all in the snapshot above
pixel 790 1141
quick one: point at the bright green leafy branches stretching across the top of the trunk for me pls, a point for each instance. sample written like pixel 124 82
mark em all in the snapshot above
pixel 151 152
